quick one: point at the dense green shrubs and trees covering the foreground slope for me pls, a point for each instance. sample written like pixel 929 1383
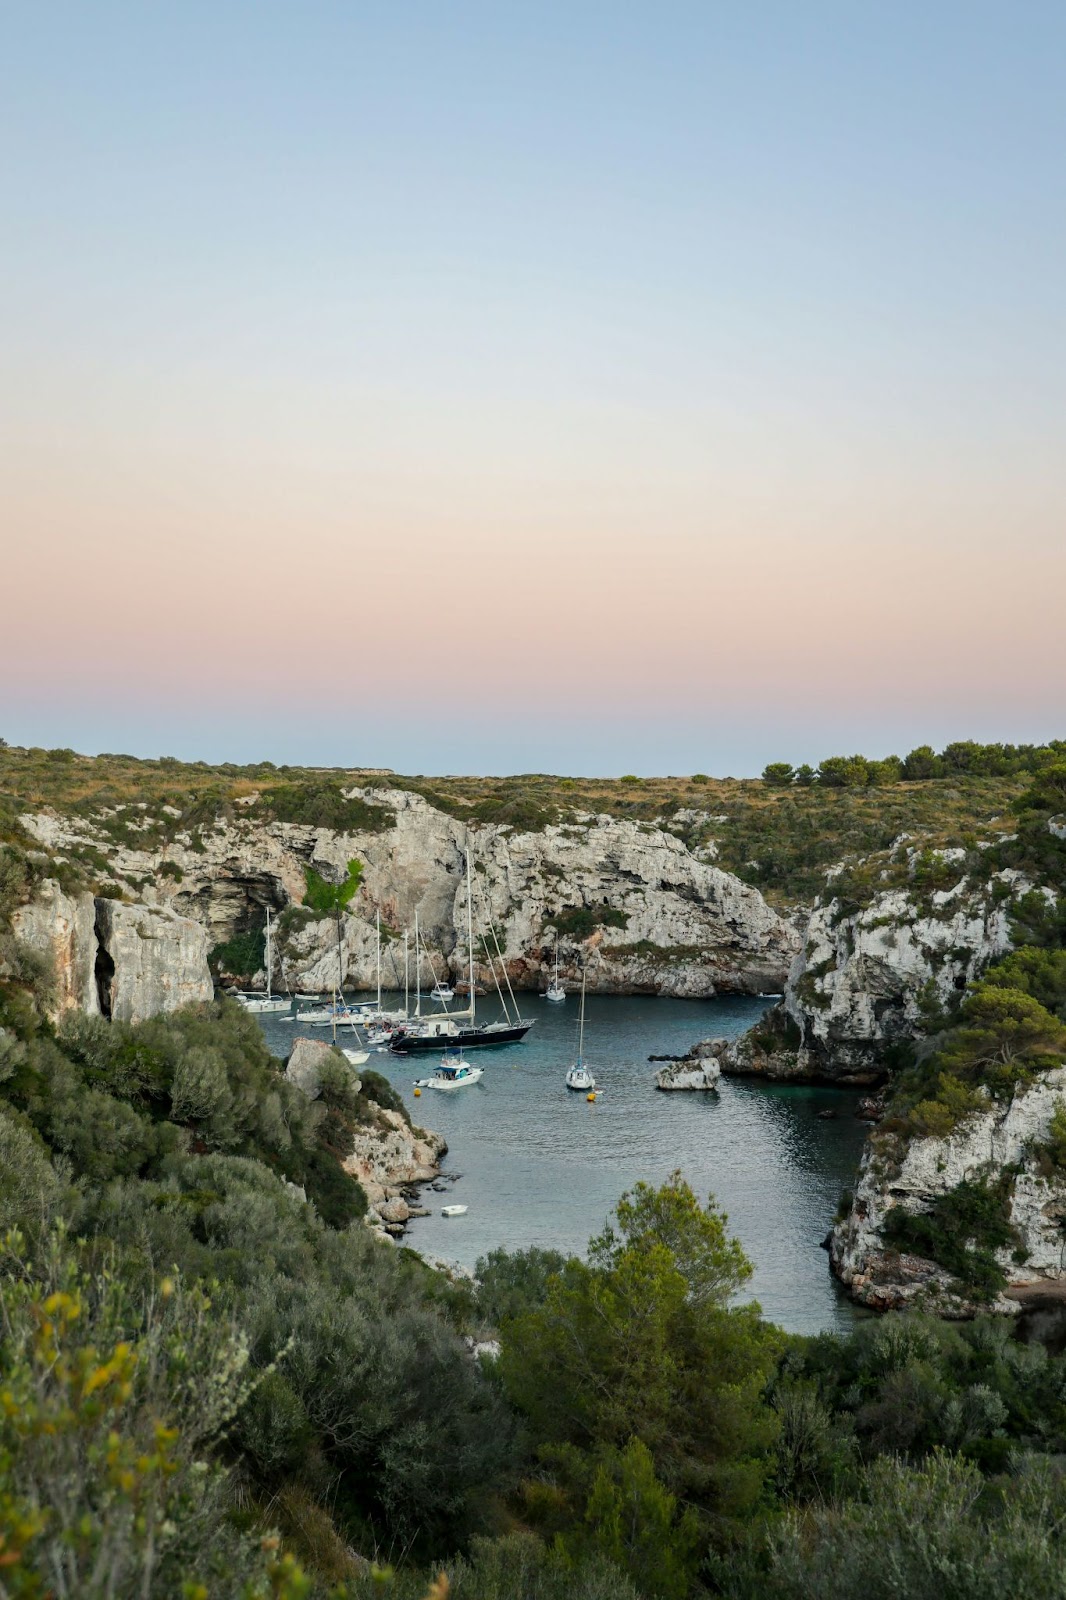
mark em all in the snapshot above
pixel 214 1388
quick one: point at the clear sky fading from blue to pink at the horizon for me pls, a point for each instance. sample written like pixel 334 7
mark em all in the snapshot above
pixel 532 388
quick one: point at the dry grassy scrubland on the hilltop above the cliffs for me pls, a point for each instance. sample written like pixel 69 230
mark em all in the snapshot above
pixel 782 841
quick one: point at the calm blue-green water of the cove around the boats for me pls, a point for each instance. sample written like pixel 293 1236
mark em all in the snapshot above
pixel 540 1166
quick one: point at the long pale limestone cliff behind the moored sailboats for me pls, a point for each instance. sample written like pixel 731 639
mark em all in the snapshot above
pixel 689 929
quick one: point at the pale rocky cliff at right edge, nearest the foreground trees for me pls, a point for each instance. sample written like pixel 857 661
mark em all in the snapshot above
pixel 984 1148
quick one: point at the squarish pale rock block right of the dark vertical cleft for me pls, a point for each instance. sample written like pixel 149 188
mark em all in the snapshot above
pixel 159 961
